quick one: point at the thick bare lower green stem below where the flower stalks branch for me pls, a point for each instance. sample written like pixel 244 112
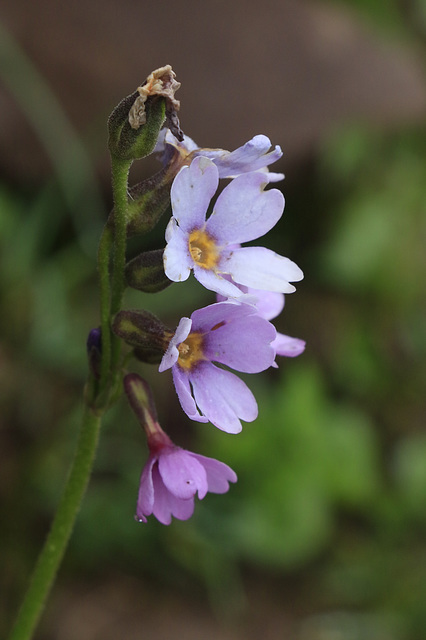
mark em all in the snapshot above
pixel 57 540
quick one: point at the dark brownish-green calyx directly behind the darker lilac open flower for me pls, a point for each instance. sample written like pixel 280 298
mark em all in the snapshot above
pixel 142 330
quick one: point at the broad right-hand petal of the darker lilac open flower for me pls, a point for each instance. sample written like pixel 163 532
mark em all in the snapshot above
pixel 243 343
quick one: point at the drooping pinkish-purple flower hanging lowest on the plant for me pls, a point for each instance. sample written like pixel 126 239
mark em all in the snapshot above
pixel 173 476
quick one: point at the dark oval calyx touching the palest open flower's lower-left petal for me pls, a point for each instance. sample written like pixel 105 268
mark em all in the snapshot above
pixel 146 272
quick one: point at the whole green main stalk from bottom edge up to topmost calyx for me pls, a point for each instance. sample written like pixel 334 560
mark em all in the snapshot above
pixel 125 145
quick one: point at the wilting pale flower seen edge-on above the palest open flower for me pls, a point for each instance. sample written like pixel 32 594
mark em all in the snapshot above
pixel 254 155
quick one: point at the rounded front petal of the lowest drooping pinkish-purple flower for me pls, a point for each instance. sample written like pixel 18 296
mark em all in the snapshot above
pixel 182 474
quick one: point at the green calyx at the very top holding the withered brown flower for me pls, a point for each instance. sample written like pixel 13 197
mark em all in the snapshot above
pixel 127 143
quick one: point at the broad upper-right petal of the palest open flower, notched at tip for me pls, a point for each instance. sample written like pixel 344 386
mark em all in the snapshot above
pixel 244 211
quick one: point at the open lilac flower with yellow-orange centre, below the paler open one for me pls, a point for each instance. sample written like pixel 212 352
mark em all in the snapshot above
pixel 229 334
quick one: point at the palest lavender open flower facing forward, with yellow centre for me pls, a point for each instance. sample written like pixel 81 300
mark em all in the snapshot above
pixel 242 212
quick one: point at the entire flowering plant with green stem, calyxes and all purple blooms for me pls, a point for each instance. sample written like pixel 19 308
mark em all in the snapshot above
pixel 235 332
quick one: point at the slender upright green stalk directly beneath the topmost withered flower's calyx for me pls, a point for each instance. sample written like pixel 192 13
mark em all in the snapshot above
pixel 120 174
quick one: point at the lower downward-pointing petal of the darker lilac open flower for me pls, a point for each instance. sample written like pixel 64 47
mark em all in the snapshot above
pixel 222 398
